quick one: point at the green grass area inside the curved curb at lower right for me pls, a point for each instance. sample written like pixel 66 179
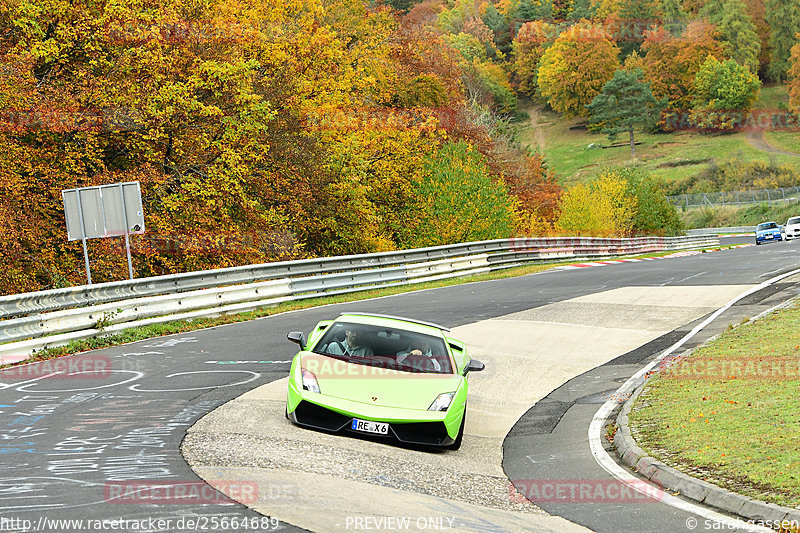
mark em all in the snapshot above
pixel 728 413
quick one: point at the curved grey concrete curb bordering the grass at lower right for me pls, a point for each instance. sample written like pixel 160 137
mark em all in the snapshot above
pixel 695 489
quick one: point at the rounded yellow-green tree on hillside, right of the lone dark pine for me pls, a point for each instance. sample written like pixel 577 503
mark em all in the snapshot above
pixel 724 92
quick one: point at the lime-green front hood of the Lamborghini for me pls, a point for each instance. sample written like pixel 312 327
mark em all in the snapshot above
pixel 378 386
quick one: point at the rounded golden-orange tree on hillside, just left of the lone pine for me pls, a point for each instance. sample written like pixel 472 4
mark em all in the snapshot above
pixel 575 68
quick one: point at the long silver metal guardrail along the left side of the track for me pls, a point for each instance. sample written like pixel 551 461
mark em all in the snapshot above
pixel 56 317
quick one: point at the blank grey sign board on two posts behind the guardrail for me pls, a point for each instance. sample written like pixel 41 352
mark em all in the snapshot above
pixel 104 211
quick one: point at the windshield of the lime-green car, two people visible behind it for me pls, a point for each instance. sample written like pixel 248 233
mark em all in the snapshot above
pixel 385 347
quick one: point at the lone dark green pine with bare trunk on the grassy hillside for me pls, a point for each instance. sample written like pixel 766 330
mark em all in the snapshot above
pixel 624 103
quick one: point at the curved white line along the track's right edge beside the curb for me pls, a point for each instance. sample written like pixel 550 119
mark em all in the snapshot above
pixel 609 465
